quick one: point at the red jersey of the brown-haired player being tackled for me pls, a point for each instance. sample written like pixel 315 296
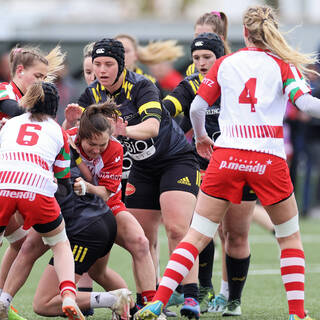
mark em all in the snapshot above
pixel 106 169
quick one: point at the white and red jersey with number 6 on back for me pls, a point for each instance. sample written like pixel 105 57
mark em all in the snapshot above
pixel 31 154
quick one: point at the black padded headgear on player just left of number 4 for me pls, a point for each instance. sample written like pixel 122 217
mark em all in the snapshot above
pixel 208 41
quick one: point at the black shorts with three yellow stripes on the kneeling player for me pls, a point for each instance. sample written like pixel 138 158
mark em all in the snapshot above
pixel 93 242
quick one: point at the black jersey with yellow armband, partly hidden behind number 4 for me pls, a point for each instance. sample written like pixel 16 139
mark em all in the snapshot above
pixel 180 99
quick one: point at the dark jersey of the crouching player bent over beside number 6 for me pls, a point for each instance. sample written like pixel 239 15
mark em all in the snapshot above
pixel 79 211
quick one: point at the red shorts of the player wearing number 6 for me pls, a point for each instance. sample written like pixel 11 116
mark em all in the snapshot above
pixel 34 208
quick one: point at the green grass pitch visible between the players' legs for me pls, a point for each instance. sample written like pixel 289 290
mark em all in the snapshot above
pixel 263 296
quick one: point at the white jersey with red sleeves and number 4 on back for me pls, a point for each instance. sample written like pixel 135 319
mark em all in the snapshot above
pixel 255 86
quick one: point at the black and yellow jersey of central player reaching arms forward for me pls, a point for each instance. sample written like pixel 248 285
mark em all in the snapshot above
pixel 138 99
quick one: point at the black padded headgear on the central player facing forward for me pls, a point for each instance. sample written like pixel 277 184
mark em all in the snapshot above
pixel 110 48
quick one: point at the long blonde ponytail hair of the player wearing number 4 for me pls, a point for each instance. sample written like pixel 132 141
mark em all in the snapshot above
pixel 263 32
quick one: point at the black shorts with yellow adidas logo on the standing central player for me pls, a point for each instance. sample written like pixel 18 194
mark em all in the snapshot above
pixel 145 186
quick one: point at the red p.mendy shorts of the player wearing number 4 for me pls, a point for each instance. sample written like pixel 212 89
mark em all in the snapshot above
pixel 230 169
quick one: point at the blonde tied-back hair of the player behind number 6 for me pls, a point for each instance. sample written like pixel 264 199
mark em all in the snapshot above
pixel 28 55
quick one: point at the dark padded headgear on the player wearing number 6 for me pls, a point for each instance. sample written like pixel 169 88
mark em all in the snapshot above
pixel 51 100
